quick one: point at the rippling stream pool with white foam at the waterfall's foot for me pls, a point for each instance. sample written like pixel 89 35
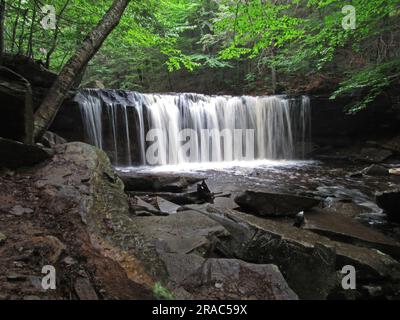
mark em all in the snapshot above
pixel 330 181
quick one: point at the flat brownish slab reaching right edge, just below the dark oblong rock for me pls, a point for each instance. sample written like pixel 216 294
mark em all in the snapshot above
pixel 341 228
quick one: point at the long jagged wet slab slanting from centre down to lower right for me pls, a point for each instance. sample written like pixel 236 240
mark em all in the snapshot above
pixel 303 257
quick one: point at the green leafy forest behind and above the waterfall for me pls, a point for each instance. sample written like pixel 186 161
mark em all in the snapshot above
pixel 222 47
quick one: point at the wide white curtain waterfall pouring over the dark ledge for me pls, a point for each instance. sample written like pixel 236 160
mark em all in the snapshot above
pixel 159 129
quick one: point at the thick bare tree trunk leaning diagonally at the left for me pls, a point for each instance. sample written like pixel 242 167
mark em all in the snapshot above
pixel 50 105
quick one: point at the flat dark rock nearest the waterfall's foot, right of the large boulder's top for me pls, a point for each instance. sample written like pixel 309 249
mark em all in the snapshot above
pixel 156 183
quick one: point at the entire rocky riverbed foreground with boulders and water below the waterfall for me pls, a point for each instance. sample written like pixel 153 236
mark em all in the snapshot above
pixel 267 231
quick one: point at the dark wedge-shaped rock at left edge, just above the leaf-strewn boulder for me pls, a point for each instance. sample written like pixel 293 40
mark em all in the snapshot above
pixel 15 154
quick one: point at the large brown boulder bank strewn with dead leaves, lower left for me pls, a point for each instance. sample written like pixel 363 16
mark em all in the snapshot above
pixel 54 226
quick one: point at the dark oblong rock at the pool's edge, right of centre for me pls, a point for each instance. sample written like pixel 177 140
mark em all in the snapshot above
pixel 274 204
